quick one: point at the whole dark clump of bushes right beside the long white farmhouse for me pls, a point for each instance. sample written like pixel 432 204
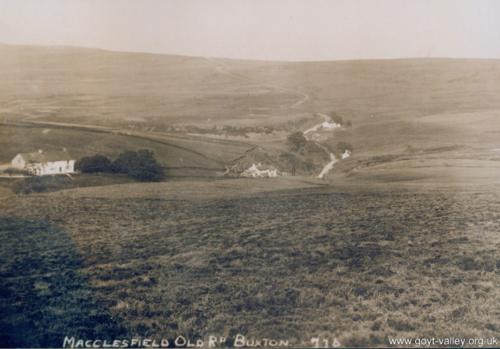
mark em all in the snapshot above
pixel 140 165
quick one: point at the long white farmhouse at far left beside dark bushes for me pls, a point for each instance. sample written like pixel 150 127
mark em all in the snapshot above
pixel 42 163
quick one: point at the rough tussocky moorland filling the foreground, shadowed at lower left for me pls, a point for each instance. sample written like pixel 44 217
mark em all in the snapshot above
pixel 360 266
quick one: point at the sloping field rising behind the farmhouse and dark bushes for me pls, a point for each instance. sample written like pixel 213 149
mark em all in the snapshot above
pixel 172 152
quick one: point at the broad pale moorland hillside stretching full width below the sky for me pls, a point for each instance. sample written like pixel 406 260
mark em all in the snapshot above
pixel 74 84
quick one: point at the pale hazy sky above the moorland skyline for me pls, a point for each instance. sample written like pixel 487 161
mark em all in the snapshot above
pixel 261 29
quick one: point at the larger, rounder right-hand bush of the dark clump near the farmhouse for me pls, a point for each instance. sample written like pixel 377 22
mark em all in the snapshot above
pixel 140 165
